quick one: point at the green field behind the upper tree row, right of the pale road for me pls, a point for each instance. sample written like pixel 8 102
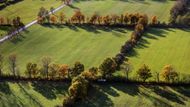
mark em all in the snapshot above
pixel 150 7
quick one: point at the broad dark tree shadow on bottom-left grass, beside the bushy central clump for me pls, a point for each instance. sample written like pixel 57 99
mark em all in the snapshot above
pixel 50 90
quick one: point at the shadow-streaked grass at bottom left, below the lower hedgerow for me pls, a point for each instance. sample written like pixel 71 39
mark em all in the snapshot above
pixel 32 94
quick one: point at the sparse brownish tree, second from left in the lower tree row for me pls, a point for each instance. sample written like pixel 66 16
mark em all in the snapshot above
pixel 13 64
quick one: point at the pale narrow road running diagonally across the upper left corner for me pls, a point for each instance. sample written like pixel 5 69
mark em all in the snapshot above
pixel 30 24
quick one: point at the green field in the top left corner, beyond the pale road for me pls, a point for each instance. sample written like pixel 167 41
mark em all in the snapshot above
pixel 28 9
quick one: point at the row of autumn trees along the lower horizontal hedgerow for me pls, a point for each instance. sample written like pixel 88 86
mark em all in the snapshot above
pixel 51 70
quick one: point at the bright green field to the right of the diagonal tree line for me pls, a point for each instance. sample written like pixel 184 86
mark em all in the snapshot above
pixel 160 47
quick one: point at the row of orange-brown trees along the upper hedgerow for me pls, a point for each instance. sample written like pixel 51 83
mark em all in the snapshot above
pixel 79 18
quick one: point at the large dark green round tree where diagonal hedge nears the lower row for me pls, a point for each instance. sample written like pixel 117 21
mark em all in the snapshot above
pixel 108 67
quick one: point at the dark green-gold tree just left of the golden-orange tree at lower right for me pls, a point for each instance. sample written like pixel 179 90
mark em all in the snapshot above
pixel 144 73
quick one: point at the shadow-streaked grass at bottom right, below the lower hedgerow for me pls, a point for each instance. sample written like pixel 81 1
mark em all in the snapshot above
pixel 122 95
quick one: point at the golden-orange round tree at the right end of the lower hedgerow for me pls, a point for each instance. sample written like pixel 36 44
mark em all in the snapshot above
pixel 169 73
